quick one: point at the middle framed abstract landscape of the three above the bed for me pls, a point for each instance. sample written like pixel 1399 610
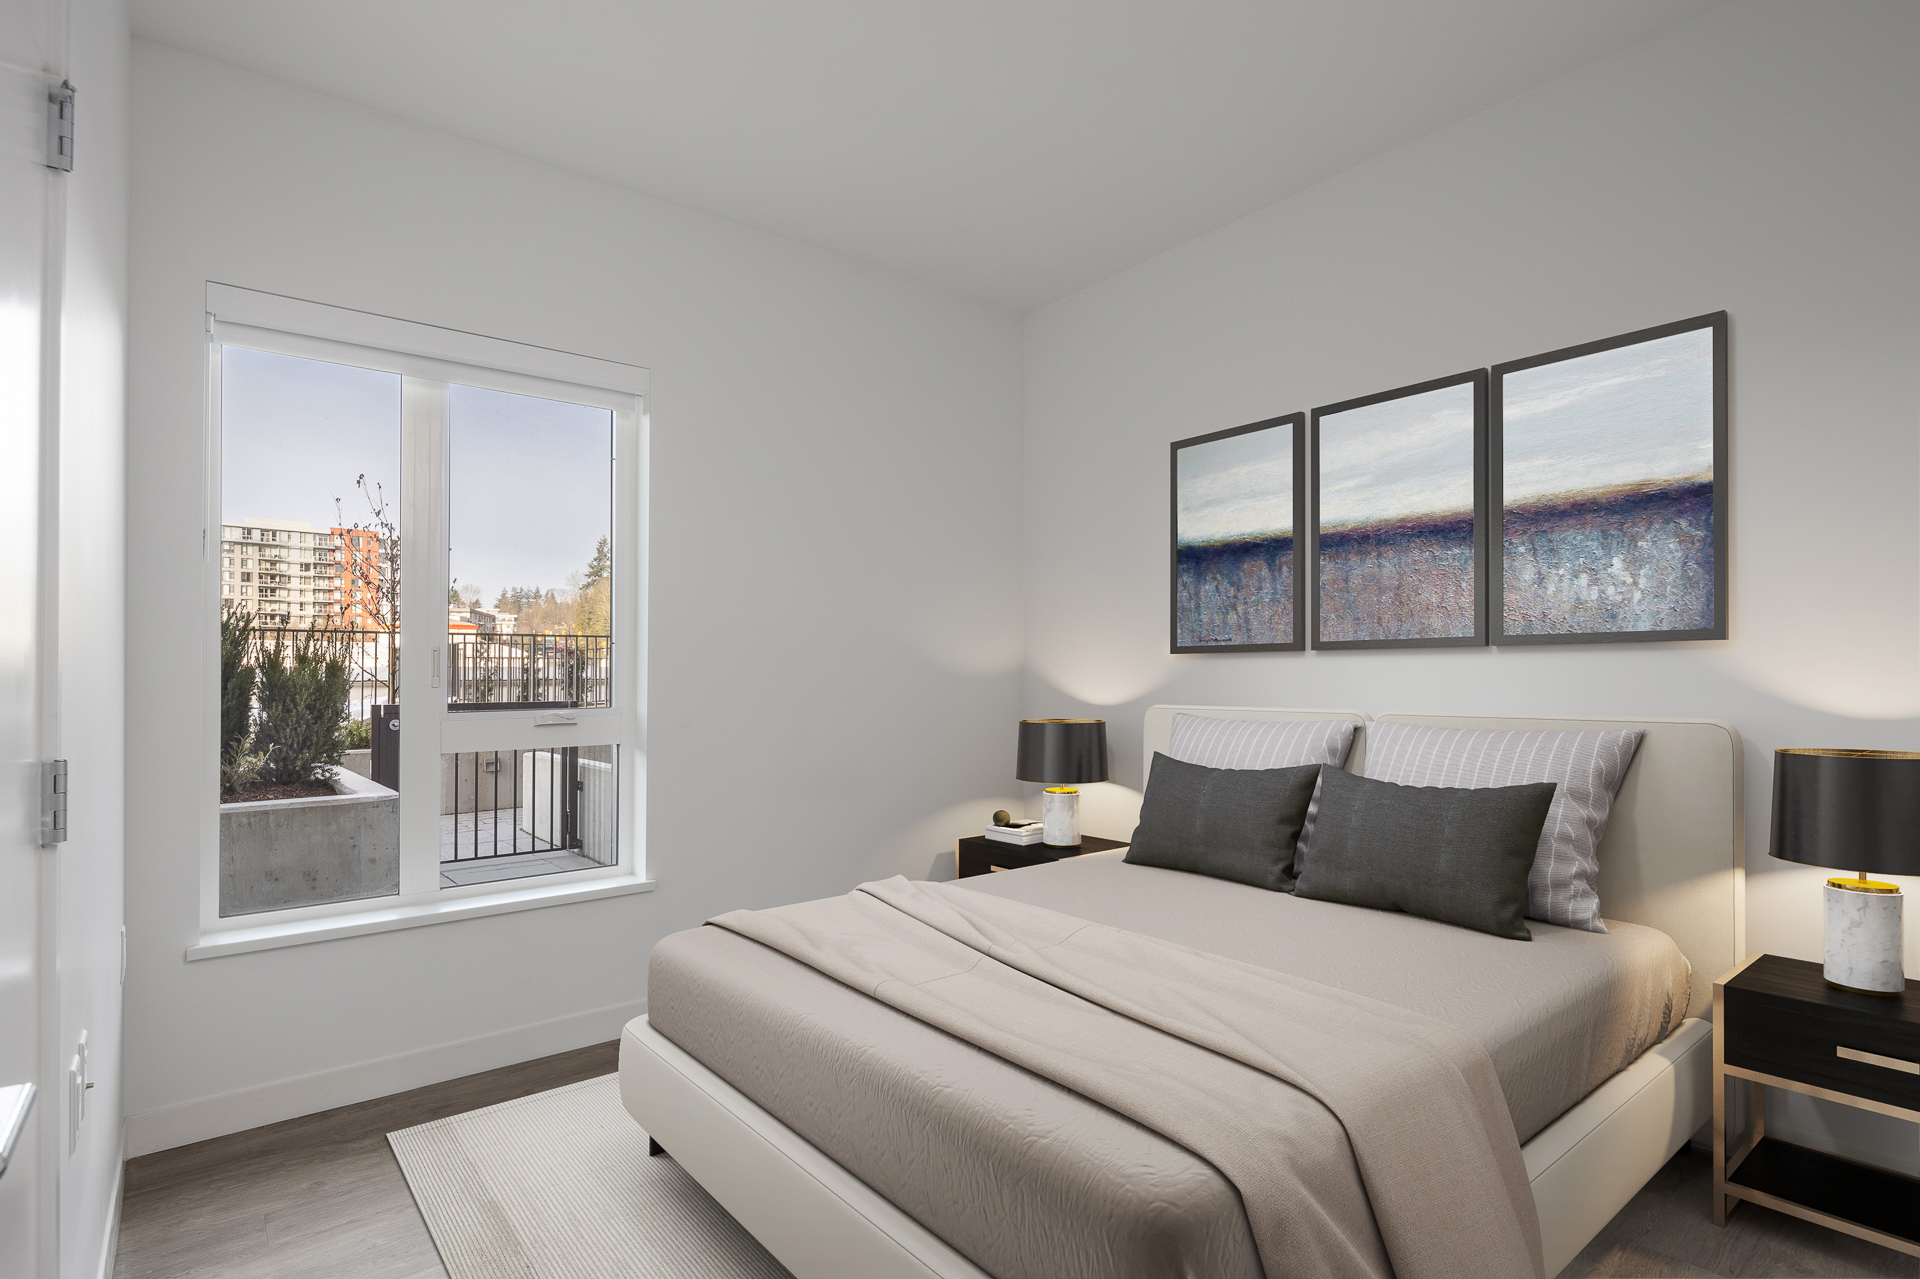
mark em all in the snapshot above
pixel 1401 518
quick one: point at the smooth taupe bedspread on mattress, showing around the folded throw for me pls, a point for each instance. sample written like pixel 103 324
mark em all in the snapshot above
pixel 1032 1180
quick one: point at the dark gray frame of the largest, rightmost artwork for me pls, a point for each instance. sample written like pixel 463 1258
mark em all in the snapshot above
pixel 1717 324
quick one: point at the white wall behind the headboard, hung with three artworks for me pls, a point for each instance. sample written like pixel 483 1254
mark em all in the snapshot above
pixel 1760 160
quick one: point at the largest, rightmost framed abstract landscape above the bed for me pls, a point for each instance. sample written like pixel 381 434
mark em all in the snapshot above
pixel 1610 489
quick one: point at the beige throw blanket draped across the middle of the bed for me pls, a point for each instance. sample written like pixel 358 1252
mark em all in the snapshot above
pixel 1364 1140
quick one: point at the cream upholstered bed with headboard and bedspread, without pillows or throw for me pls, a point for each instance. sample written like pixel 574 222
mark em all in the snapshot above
pixel 1602 1086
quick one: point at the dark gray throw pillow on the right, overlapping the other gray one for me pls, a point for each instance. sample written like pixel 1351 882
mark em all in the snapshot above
pixel 1437 852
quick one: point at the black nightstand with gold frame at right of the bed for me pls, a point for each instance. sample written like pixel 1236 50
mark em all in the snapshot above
pixel 1777 1025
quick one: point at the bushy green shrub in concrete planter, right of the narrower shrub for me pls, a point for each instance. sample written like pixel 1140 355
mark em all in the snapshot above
pixel 302 708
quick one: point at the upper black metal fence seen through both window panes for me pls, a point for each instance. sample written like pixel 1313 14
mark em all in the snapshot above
pixel 485 671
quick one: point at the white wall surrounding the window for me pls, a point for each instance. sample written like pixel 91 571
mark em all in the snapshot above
pixel 832 508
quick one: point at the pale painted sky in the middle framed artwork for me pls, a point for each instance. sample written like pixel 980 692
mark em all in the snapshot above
pixel 1410 456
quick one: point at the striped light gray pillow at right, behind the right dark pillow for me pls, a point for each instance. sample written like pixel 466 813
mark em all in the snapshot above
pixel 1589 769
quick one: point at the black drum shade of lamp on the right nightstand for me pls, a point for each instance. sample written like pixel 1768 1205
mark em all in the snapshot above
pixel 1848 809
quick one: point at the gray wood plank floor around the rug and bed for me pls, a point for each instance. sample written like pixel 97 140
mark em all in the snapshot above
pixel 322 1197
